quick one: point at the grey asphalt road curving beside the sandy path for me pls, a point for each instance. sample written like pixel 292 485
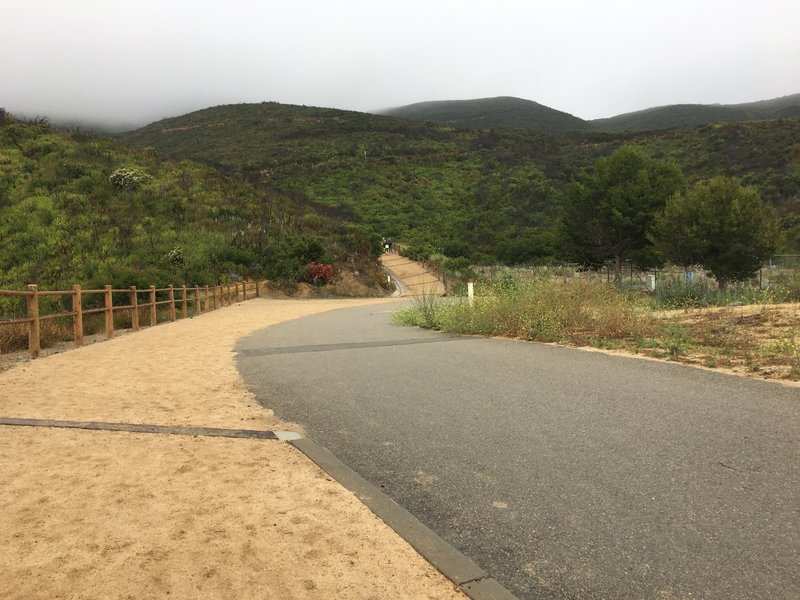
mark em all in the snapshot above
pixel 563 473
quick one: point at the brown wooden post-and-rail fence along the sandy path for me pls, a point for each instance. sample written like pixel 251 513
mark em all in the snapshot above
pixel 178 300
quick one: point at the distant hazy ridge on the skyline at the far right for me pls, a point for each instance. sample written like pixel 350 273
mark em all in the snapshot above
pixel 693 115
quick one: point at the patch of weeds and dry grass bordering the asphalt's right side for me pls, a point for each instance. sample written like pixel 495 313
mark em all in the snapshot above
pixel 756 340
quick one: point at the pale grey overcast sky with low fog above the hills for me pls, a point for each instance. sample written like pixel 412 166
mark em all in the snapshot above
pixel 138 61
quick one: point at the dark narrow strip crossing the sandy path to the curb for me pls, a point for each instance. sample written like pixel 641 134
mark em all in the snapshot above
pixel 157 429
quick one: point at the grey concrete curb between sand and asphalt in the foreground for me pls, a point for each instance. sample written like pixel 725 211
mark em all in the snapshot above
pixel 468 577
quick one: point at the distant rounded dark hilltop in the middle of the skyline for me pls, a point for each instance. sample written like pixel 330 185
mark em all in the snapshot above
pixel 488 113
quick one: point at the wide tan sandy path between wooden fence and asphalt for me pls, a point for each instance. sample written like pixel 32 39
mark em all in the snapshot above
pixel 98 514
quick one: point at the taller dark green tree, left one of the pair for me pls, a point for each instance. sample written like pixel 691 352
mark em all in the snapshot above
pixel 609 216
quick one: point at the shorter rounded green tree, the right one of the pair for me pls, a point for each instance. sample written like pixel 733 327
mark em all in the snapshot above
pixel 721 225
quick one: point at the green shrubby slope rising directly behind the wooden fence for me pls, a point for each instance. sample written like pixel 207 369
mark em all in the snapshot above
pixel 79 209
